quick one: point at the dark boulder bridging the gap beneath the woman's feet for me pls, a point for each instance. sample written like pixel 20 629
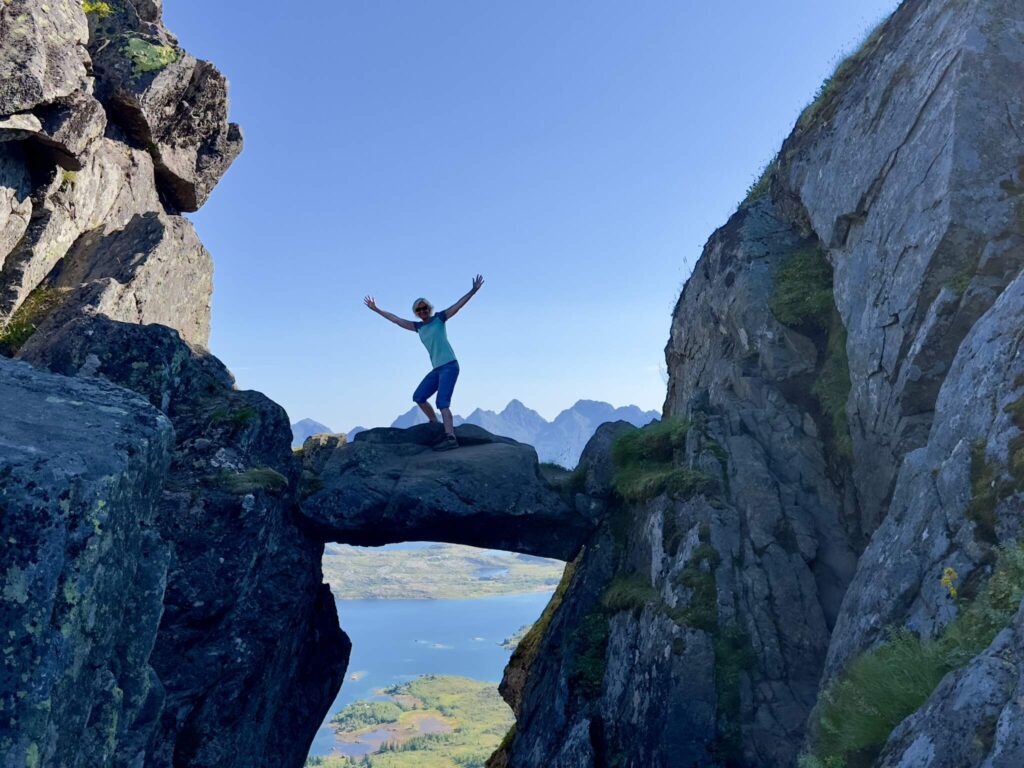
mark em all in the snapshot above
pixel 390 486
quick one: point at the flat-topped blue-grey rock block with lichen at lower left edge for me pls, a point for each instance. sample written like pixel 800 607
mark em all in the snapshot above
pixel 83 569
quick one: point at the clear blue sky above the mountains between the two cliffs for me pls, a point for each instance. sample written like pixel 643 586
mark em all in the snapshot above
pixel 576 154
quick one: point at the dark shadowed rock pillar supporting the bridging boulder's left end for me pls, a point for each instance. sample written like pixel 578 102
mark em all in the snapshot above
pixel 249 633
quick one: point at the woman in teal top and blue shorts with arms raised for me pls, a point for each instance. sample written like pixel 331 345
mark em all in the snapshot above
pixel 434 333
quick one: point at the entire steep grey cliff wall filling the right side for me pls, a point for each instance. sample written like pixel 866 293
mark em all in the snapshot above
pixel 848 356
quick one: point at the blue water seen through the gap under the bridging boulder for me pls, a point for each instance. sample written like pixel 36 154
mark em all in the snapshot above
pixel 395 642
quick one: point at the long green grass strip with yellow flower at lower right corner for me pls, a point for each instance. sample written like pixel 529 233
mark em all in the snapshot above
pixel 885 685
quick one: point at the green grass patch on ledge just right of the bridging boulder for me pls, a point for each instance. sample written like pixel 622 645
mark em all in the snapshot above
pixel 645 462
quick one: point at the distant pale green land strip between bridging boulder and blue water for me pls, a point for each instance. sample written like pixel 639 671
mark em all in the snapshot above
pixel 443 572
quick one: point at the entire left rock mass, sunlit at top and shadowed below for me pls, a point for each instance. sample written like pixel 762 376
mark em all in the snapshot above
pixel 108 132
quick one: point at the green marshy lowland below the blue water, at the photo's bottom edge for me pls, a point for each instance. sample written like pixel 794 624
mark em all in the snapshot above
pixel 434 721
